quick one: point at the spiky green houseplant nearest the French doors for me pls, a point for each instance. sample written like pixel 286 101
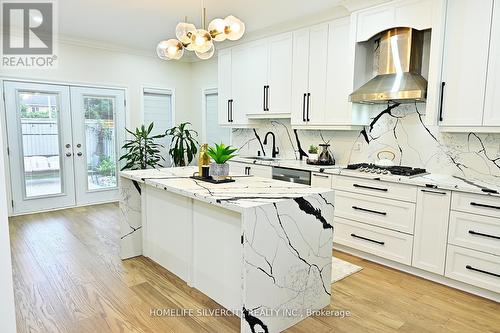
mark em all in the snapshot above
pixel 142 150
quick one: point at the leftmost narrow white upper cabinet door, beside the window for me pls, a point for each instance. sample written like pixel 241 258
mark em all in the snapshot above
pixel 224 91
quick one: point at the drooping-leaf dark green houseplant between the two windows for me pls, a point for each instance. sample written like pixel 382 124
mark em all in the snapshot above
pixel 183 144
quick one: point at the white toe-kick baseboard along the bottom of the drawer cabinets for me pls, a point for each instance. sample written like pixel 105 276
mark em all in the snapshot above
pixel 421 273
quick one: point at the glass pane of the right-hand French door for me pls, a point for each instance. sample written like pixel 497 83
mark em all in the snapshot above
pixel 100 142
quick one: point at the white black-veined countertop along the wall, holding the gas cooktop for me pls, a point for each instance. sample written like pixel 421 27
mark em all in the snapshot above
pixel 434 180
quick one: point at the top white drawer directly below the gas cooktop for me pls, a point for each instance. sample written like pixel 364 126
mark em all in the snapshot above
pixel 375 187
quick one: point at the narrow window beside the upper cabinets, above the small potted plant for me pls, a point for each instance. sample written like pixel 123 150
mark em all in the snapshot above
pixel 213 132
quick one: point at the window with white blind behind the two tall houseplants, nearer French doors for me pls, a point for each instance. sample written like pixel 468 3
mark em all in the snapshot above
pixel 158 109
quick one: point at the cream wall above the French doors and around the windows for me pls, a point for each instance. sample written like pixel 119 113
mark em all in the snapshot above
pixel 95 66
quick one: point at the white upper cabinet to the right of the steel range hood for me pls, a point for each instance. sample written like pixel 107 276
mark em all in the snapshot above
pixel 470 71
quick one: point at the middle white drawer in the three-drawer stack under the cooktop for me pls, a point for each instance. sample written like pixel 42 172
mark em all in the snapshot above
pixel 387 213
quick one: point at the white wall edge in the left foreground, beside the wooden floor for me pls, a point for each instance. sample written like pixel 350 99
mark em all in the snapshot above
pixel 7 316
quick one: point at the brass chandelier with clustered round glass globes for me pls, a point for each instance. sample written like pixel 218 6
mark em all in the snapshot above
pixel 200 41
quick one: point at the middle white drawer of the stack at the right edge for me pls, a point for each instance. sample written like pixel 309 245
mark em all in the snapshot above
pixel 475 232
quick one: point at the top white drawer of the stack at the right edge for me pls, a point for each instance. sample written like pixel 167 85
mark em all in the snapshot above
pixel 476 203
